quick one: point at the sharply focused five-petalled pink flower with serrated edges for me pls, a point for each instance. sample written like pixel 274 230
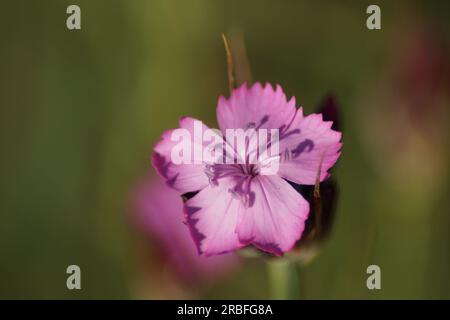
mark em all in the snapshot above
pixel 234 205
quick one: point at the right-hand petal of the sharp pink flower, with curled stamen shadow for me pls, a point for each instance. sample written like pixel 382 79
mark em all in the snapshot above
pixel 310 146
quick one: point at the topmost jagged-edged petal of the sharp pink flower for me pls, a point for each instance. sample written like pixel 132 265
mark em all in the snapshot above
pixel 260 106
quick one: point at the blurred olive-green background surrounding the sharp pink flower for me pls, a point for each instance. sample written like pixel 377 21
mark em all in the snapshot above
pixel 81 110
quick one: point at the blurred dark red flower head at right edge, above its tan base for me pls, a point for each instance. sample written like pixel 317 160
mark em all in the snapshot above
pixel 421 78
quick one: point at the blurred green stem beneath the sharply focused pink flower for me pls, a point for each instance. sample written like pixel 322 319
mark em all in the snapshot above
pixel 283 280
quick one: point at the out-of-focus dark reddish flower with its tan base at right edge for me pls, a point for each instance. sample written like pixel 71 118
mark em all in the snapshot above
pixel 410 106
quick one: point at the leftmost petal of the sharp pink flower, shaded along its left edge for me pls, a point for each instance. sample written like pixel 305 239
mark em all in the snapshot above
pixel 182 177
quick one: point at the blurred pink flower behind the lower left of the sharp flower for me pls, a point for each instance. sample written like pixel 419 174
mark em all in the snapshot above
pixel 159 215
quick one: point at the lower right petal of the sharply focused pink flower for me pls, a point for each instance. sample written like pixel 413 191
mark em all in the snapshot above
pixel 277 218
